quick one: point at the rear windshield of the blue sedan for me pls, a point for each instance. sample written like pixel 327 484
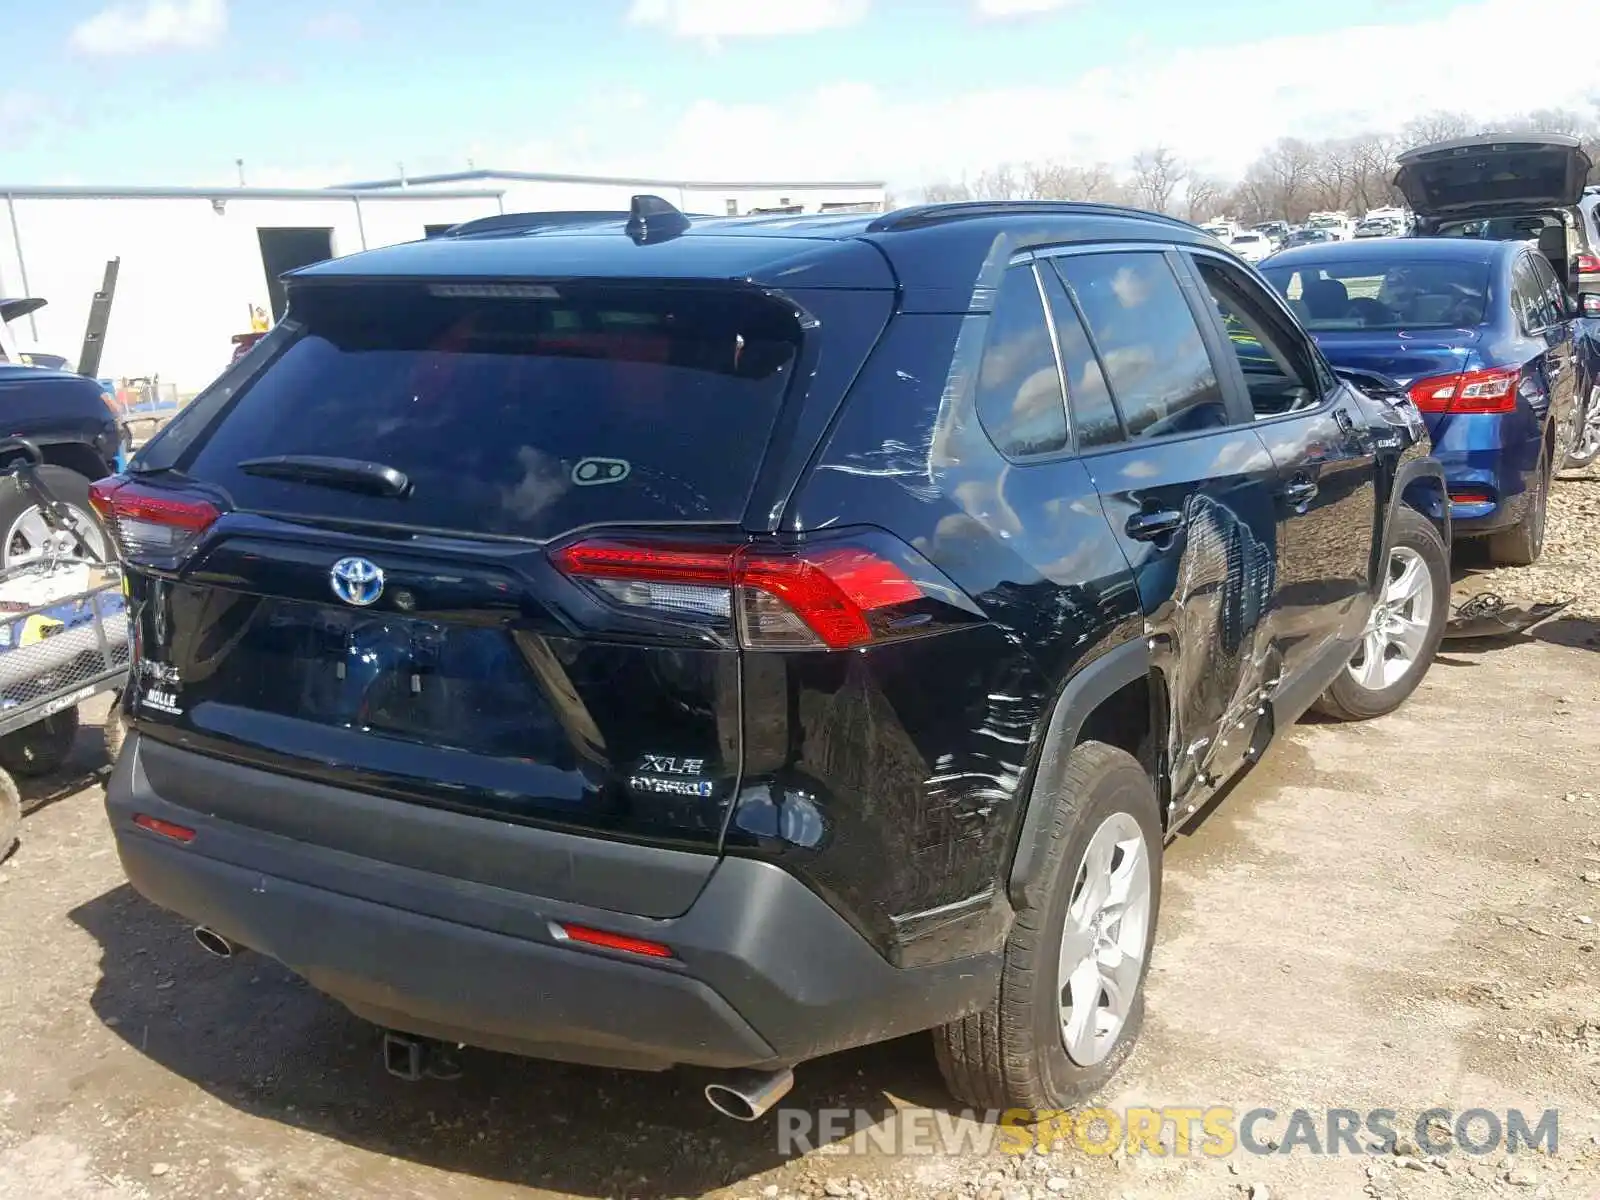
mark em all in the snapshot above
pixel 1385 294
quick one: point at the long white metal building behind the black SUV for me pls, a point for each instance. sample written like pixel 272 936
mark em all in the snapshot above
pixel 194 263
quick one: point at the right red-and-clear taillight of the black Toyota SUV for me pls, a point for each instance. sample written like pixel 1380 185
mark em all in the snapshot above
pixel 830 596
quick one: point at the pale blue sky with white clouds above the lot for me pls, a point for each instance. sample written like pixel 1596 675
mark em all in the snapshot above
pixel 313 92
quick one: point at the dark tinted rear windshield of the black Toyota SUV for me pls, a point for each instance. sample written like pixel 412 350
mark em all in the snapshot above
pixel 522 414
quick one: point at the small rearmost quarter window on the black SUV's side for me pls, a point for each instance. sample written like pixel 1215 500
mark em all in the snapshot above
pixel 1020 401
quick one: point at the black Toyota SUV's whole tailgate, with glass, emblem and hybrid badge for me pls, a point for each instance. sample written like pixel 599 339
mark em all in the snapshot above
pixel 455 666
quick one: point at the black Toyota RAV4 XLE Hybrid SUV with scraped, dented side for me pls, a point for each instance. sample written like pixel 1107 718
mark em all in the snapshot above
pixel 644 642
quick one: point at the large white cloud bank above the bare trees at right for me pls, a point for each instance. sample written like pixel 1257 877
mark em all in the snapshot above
pixel 1217 106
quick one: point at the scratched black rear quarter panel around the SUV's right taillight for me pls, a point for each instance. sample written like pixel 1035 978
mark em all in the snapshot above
pixel 892 794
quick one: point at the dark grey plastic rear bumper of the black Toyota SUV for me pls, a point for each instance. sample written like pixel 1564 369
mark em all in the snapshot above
pixel 766 974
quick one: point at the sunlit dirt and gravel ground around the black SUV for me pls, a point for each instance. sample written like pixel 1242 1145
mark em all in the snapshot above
pixel 1391 916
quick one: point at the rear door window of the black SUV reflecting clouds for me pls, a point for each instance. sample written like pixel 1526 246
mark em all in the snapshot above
pixel 1150 343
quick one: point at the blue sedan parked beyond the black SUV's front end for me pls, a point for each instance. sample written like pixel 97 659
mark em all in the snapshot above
pixel 1484 338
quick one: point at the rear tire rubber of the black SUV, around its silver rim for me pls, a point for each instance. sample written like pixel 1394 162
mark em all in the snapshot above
pixel 1012 1054
